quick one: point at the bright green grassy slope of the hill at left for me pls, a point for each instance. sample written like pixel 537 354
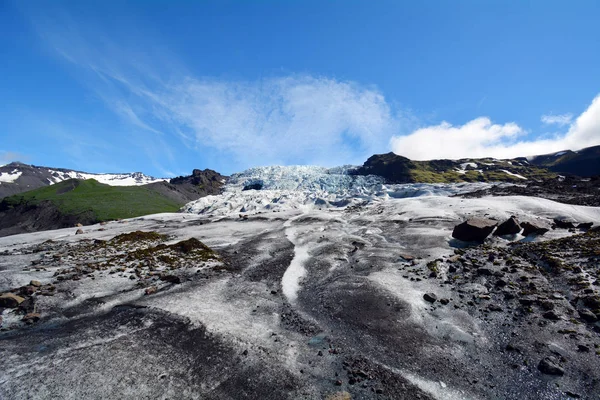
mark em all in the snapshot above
pixel 73 197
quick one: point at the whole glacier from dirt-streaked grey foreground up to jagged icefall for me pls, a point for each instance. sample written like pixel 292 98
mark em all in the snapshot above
pixel 312 297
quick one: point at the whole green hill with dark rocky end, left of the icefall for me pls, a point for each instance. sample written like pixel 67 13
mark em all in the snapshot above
pixel 89 201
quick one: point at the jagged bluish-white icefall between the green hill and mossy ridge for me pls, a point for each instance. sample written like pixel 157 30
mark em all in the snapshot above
pixel 305 187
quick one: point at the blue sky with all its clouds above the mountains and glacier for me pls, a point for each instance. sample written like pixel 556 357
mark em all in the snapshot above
pixel 165 87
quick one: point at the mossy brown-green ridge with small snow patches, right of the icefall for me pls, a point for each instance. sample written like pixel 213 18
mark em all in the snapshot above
pixel 397 169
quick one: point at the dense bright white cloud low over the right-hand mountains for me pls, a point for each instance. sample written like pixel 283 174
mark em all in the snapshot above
pixel 481 138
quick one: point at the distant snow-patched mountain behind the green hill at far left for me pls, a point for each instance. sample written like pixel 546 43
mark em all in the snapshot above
pixel 17 177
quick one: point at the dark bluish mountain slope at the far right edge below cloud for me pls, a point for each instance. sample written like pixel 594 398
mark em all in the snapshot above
pixel 585 162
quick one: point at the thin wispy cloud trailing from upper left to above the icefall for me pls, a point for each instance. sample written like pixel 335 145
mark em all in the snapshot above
pixel 291 119
